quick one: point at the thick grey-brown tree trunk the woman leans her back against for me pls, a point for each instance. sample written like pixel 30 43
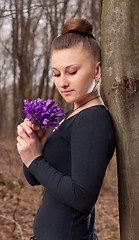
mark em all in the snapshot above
pixel 120 72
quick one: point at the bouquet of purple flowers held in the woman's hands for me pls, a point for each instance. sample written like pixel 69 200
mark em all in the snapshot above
pixel 43 113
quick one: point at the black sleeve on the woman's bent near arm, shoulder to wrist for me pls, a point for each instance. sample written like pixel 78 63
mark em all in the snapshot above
pixel 89 153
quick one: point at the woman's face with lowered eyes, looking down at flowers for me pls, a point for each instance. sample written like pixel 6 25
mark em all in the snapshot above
pixel 73 72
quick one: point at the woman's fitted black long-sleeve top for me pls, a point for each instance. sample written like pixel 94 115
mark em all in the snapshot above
pixel 71 169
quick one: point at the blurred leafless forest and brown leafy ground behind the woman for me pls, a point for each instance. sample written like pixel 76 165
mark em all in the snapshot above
pixel 27 29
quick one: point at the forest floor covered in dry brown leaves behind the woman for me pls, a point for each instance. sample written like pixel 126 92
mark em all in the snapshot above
pixel 19 201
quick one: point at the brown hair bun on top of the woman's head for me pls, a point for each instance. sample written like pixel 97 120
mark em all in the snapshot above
pixel 78 24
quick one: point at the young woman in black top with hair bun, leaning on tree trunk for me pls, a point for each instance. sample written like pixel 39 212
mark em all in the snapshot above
pixel 71 164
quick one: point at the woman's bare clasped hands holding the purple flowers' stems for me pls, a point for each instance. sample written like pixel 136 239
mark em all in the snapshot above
pixel 30 141
